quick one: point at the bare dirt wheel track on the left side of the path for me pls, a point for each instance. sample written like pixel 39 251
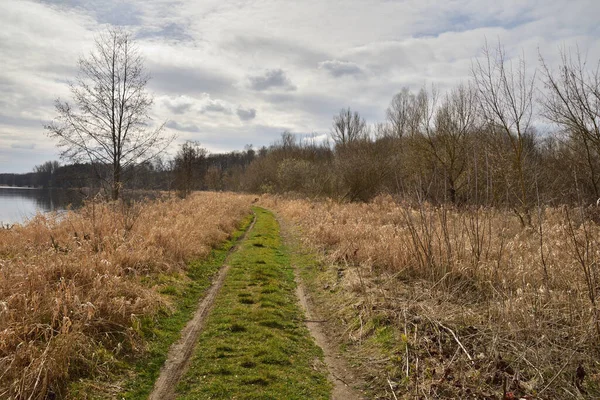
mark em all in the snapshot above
pixel 180 353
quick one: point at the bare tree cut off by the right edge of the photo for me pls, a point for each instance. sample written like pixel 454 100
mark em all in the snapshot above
pixel 572 101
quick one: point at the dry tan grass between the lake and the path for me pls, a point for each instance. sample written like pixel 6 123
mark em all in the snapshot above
pixel 72 290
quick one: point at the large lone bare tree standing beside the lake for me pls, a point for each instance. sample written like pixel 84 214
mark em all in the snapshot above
pixel 108 121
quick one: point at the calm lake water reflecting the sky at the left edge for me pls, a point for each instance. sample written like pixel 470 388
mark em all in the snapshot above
pixel 17 205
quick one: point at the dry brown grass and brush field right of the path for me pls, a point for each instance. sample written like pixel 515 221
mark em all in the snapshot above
pixel 447 303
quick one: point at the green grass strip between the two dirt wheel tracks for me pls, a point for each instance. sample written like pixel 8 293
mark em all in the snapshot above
pixel 255 344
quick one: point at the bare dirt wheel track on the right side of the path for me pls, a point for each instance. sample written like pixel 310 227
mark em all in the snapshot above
pixel 339 372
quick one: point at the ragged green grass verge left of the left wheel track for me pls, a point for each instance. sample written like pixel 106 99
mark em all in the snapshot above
pixel 161 332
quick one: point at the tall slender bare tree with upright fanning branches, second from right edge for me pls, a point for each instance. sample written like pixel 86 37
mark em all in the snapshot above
pixel 505 97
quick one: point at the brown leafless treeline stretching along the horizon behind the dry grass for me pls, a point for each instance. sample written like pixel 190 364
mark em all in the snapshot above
pixel 476 145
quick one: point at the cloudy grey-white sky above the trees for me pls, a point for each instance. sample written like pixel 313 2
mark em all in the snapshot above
pixel 231 73
